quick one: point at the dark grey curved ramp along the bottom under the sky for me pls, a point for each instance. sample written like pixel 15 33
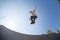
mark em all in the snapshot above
pixel 6 34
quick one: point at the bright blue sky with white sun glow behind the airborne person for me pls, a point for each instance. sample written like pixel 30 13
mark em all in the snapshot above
pixel 14 14
